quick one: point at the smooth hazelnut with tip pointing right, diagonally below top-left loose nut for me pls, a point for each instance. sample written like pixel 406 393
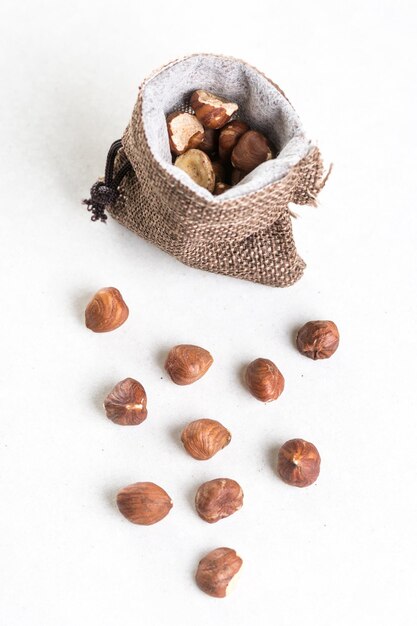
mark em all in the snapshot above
pixel 186 364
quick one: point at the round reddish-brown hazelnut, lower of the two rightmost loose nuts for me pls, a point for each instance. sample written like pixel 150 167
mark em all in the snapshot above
pixel 298 463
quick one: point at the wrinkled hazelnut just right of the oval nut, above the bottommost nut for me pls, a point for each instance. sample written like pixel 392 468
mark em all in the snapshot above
pixel 217 499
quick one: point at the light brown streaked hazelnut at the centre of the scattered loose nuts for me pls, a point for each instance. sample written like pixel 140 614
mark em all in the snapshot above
pixel 204 438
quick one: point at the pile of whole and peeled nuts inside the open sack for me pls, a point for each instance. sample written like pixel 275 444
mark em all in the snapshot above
pixel 215 151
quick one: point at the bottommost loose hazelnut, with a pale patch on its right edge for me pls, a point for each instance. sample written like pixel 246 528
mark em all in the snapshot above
pixel 217 570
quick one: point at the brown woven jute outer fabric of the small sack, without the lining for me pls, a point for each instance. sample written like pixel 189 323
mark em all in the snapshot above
pixel 248 237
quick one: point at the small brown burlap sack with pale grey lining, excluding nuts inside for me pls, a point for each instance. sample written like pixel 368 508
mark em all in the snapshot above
pixel 246 232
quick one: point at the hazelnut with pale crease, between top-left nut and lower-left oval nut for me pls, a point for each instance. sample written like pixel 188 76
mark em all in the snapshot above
pixel 126 403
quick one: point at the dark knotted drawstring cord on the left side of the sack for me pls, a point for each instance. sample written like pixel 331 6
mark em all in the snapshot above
pixel 105 193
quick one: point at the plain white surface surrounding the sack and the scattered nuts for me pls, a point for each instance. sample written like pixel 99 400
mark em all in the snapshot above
pixel 340 552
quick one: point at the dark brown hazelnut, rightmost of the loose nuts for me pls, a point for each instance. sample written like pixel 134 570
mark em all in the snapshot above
pixel 318 340
